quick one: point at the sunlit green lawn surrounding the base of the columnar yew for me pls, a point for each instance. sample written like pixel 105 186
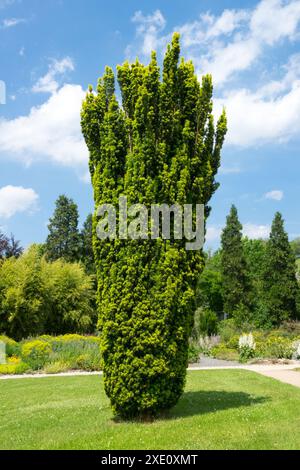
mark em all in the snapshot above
pixel 220 410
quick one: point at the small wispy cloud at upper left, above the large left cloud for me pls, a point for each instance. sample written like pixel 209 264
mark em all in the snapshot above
pixel 48 83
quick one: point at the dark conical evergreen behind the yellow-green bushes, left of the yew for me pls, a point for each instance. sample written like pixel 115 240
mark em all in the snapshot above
pixel 63 240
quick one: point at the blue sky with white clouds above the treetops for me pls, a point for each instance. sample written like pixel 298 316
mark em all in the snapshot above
pixel 51 50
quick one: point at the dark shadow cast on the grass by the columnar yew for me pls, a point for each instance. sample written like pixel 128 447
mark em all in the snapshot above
pixel 202 402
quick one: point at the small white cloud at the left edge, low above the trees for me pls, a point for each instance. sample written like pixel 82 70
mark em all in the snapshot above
pixel 14 199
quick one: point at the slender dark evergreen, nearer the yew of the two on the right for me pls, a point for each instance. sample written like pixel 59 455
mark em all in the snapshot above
pixel 235 276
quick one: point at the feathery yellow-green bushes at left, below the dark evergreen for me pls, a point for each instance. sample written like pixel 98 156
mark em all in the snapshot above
pixel 39 297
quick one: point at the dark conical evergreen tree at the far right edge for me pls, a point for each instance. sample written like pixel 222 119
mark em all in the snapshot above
pixel 279 278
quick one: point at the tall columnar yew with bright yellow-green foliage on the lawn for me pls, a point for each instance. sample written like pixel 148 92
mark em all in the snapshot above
pixel 161 146
